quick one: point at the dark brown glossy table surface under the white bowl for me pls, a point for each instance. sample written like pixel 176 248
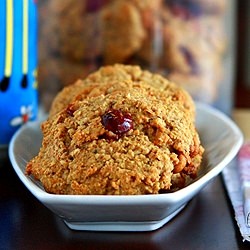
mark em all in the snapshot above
pixel 207 222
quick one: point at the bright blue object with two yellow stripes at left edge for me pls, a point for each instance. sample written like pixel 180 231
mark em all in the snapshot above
pixel 18 63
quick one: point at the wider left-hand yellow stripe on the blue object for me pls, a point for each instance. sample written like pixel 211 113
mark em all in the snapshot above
pixel 9 37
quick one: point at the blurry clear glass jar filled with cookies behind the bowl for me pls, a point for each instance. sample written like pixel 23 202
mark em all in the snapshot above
pixel 191 42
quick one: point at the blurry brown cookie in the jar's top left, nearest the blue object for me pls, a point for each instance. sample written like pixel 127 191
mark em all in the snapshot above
pixel 67 28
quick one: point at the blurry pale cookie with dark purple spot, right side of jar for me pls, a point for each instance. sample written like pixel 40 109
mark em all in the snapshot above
pixel 193 53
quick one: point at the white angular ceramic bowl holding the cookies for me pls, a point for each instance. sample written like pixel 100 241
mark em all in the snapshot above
pixel 220 137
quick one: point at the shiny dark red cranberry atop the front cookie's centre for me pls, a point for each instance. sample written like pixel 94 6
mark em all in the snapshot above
pixel 117 122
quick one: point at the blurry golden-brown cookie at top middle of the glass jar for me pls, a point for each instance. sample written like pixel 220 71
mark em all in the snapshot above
pixel 123 31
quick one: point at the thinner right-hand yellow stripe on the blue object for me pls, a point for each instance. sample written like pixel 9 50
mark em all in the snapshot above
pixel 25 36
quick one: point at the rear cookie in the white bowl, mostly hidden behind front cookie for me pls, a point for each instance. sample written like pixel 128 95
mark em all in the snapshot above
pixel 108 76
